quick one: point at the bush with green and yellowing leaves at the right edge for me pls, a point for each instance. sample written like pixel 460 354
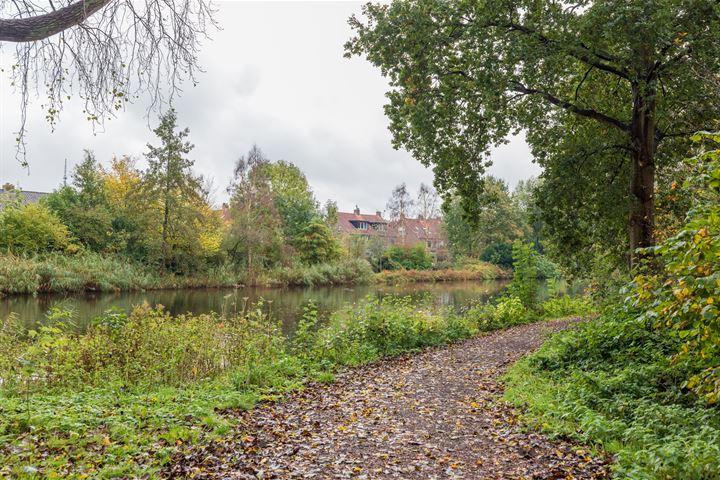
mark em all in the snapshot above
pixel 682 299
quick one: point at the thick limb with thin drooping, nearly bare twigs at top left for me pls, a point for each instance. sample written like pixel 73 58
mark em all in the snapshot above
pixel 105 51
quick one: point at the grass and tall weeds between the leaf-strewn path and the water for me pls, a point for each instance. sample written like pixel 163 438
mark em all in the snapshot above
pixel 118 400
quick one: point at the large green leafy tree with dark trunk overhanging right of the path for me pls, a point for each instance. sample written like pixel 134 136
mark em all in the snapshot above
pixel 610 82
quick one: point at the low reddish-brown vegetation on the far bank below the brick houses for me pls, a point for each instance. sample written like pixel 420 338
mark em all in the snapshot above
pixel 480 271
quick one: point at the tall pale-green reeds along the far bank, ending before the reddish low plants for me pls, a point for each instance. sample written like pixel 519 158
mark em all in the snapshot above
pixel 54 273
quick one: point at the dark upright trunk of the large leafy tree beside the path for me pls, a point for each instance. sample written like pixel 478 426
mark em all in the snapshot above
pixel 642 187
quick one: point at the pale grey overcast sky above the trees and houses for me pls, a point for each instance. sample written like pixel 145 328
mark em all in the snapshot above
pixel 275 75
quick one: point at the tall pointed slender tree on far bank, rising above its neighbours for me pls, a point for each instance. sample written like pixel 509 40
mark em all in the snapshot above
pixel 170 181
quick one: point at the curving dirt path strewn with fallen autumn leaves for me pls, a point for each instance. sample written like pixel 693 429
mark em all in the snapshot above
pixel 433 415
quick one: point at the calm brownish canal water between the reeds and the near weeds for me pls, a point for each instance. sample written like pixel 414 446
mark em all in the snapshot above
pixel 285 304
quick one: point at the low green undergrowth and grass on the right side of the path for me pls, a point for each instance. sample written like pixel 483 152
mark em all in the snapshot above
pixel 611 383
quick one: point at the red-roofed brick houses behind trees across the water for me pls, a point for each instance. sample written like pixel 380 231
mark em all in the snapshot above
pixel 405 231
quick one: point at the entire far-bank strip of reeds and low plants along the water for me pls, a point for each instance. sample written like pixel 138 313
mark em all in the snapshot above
pixel 91 272
